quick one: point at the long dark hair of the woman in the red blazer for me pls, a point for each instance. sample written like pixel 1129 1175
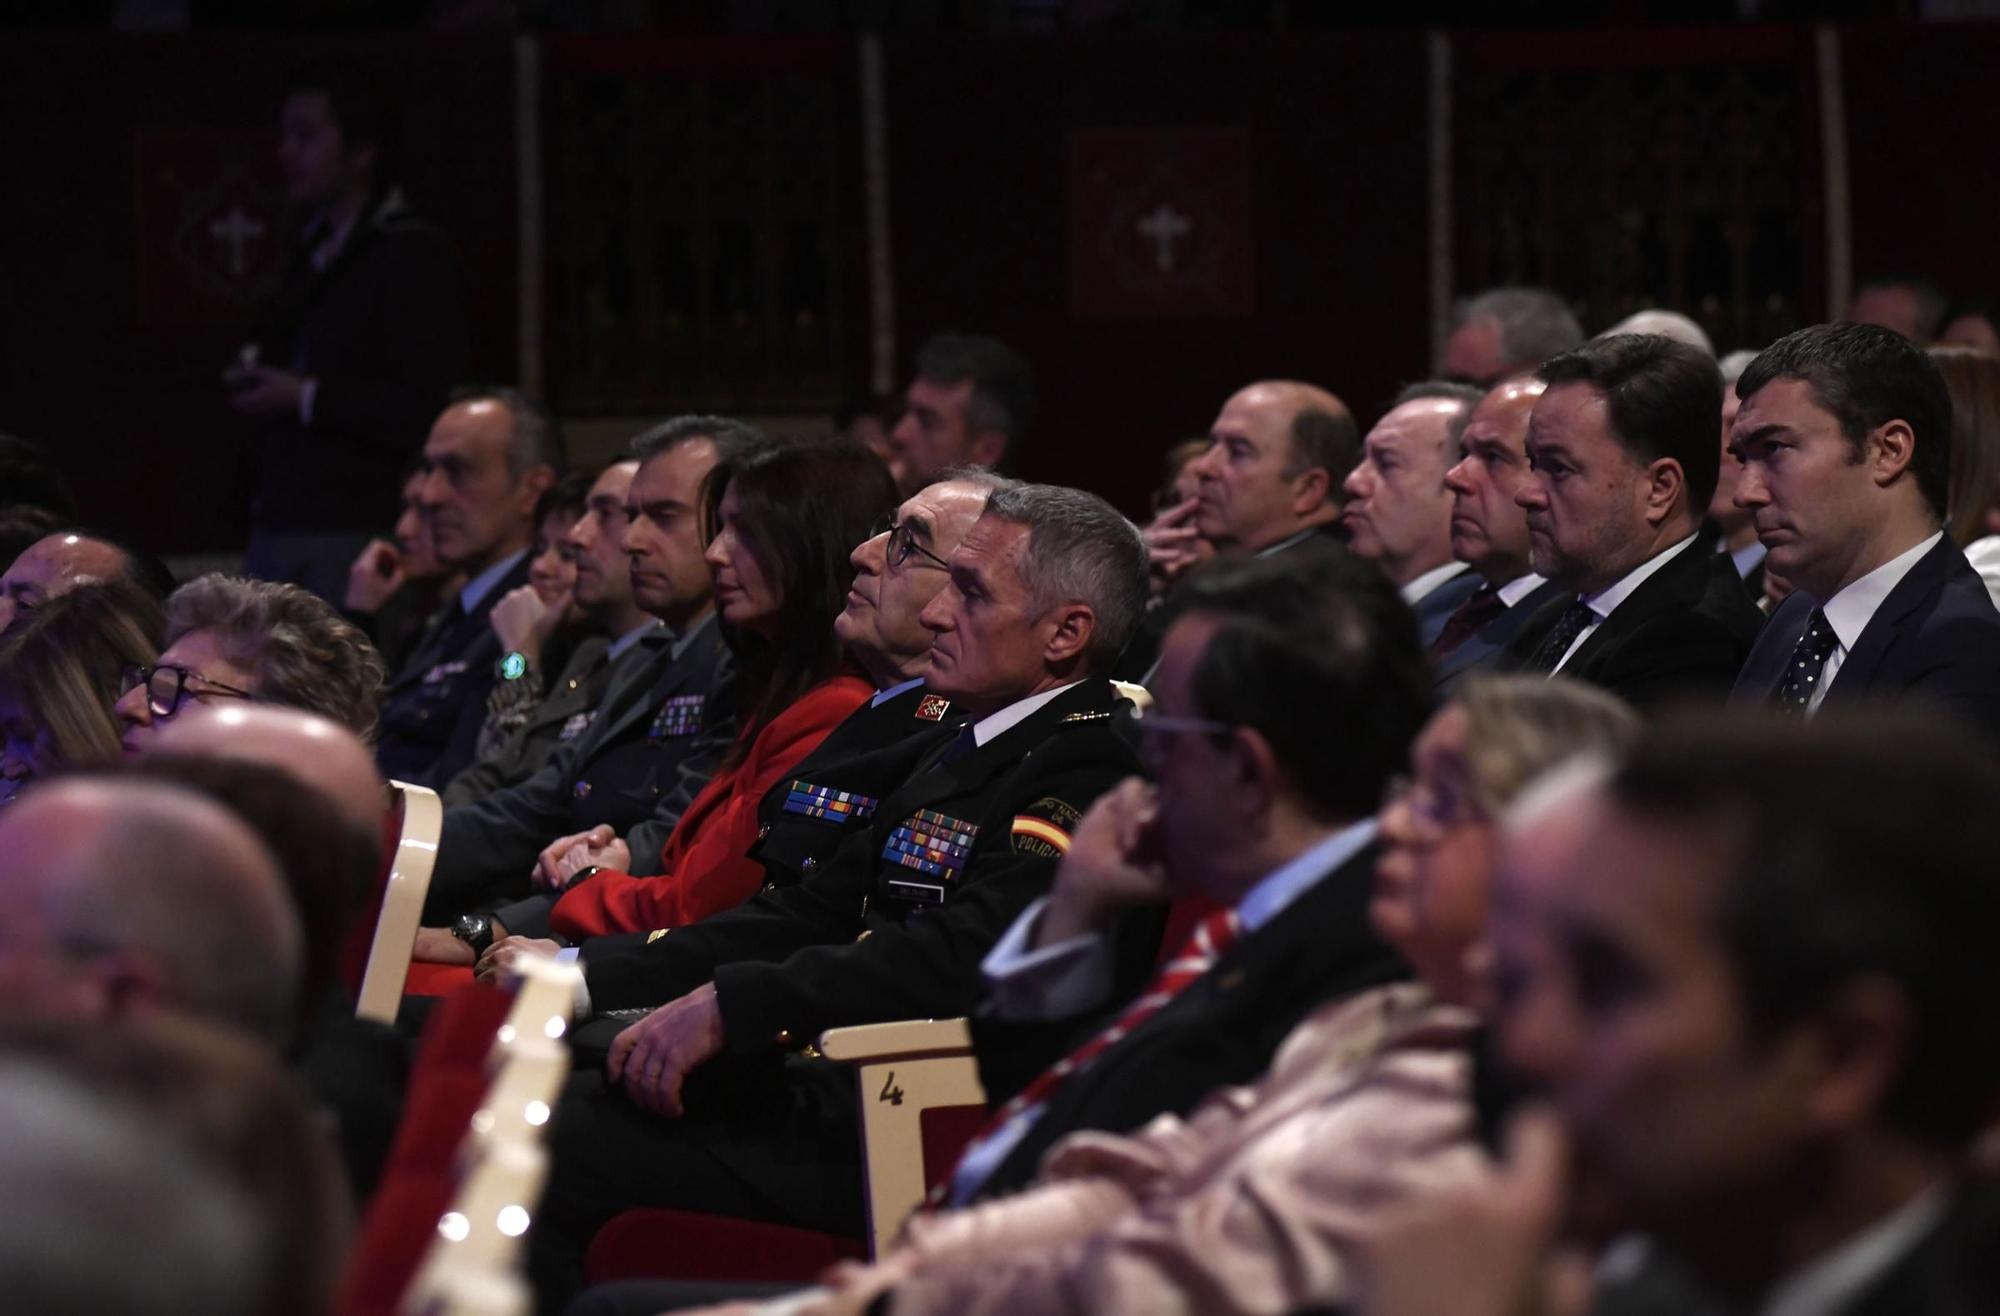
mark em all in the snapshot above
pixel 801 509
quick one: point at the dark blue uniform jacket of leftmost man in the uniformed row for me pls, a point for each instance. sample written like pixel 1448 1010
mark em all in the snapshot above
pixel 435 707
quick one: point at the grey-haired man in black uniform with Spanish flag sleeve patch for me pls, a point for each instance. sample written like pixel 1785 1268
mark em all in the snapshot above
pixel 1043 595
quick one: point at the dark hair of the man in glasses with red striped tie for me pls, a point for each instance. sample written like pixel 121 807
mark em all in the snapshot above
pixel 1323 661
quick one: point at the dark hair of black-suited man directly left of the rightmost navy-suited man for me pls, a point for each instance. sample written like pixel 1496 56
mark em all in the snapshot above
pixel 1665 401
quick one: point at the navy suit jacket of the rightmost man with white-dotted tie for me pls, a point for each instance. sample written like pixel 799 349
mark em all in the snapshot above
pixel 1935 639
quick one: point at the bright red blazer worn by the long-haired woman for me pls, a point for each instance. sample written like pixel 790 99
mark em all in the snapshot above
pixel 705 867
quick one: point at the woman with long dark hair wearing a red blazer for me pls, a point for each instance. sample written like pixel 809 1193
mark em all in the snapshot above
pixel 785 519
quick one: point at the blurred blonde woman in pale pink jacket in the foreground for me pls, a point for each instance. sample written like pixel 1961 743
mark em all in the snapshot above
pixel 1253 1203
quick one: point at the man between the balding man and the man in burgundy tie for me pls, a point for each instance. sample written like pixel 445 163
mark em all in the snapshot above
pixel 1399 511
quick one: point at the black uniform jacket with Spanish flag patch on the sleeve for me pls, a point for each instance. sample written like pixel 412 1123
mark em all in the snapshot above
pixel 897 921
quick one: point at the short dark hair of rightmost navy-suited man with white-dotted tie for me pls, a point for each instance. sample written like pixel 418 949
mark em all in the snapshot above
pixel 1867 377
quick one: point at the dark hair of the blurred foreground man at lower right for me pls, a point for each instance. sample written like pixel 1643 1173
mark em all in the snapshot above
pixel 1861 847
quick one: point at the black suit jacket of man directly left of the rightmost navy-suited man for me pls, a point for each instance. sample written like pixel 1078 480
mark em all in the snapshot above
pixel 1683 633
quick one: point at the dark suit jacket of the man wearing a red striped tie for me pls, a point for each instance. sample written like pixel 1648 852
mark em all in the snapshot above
pixel 1223 1029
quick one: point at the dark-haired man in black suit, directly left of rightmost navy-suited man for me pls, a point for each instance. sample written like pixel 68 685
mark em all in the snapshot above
pixel 1623 463
